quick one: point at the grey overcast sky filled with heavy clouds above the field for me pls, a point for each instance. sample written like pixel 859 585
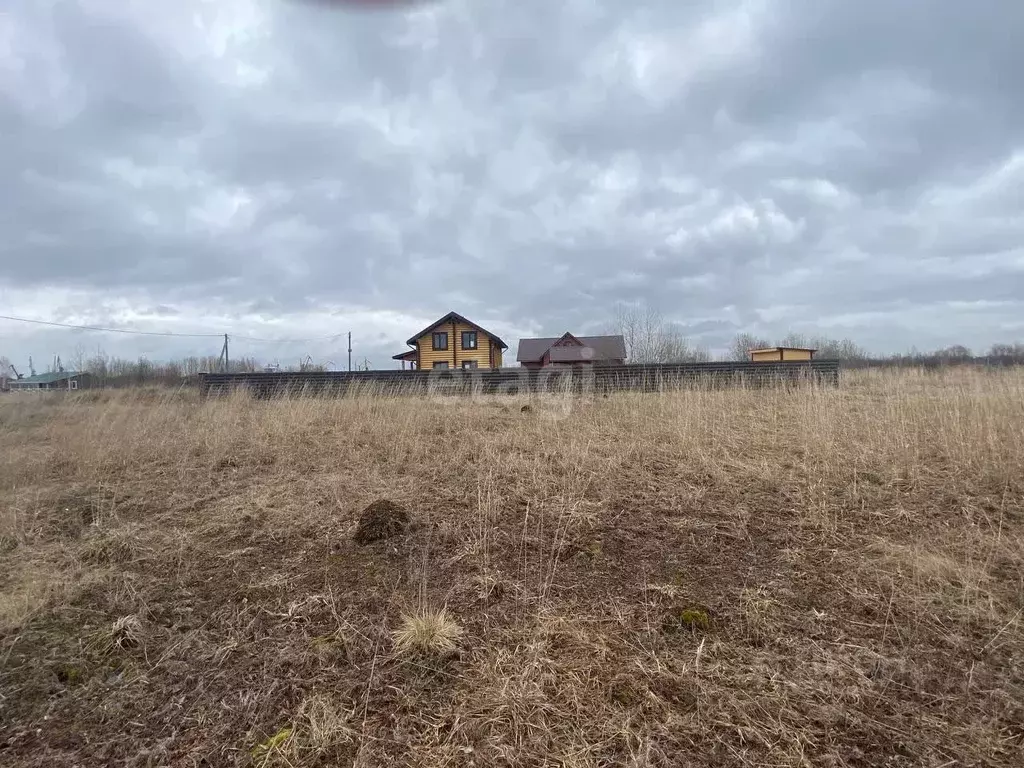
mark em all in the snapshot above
pixel 279 169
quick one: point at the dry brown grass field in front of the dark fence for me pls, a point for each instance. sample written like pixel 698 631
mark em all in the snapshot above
pixel 813 577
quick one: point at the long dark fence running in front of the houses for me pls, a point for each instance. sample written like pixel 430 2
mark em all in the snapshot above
pixel 524 381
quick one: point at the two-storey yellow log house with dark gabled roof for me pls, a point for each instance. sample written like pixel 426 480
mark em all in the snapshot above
pixel 453 343
